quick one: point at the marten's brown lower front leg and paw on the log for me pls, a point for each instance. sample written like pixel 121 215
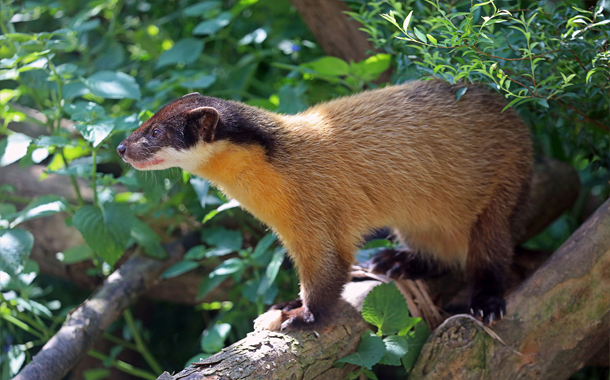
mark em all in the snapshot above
pixel 322 282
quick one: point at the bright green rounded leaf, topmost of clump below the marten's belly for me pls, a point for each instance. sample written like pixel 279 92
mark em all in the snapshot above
pixel 386 308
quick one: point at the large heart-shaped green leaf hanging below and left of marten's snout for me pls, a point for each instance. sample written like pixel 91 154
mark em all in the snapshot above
pixel 106 231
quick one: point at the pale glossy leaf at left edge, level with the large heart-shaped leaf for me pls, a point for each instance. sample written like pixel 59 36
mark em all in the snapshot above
pixel 15 247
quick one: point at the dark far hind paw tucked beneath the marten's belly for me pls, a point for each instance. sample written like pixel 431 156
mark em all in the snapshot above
pixel 404 263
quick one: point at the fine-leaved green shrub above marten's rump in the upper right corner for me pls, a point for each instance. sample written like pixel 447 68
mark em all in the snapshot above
pixel 550 60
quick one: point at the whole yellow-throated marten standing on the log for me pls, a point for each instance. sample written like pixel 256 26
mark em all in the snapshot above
pixel 450 177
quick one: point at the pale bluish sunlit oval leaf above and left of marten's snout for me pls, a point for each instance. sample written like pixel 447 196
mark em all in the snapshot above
pixel 113 85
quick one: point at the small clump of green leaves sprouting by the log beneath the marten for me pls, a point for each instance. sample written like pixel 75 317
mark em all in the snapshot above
pixel 386 309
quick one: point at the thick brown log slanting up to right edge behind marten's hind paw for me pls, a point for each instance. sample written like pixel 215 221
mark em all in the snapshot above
pixel 555 321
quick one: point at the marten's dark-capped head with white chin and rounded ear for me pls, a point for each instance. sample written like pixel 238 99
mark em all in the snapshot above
pixel 183 133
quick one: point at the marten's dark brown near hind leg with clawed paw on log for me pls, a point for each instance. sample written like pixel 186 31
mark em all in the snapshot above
pixel 489 257
